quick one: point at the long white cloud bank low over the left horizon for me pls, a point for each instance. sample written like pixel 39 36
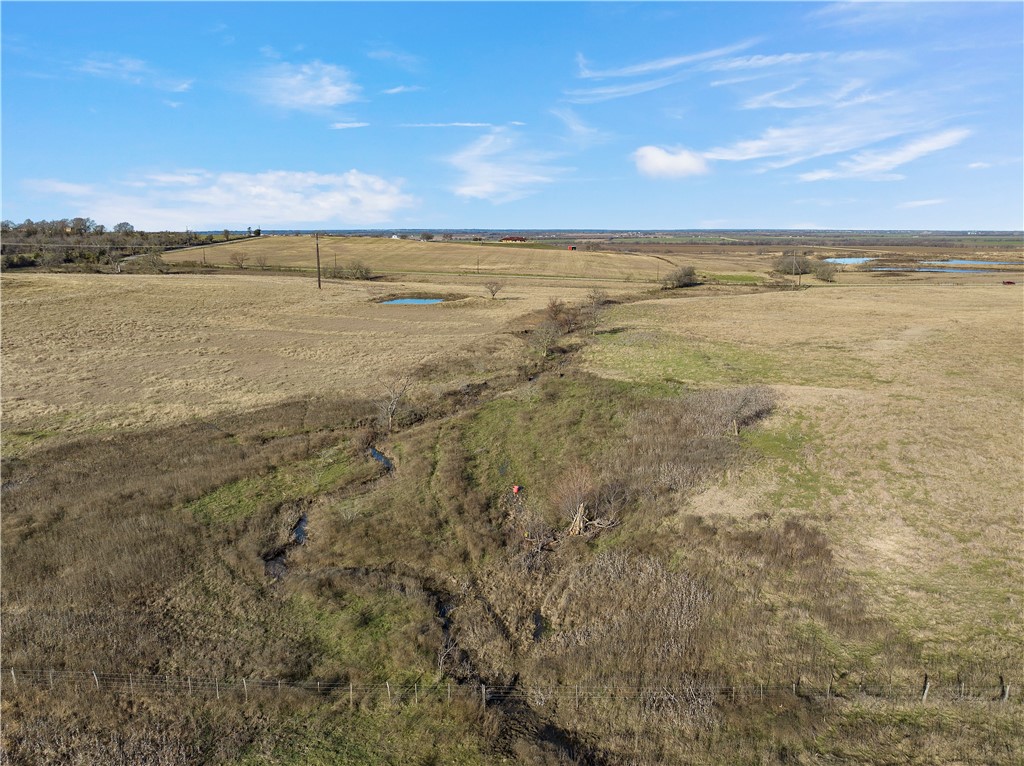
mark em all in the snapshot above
pixel 202 199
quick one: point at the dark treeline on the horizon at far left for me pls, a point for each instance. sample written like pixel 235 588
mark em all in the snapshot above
pixel 82 241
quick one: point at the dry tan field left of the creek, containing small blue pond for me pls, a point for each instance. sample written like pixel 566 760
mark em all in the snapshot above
pixel 113 352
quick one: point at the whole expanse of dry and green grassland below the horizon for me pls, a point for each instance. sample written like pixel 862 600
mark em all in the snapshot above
pixel 814 492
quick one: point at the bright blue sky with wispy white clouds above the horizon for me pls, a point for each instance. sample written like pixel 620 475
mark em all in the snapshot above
pixel 620 116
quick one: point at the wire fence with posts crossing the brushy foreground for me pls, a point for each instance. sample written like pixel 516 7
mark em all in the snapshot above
pixel 674 694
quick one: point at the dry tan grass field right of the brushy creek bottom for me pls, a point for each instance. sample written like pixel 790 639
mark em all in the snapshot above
pixel 902 436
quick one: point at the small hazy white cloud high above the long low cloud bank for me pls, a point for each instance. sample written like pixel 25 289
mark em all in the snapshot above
pixel 309 88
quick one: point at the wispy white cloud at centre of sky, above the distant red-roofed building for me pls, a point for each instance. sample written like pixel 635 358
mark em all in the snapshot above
pixel 495 167
